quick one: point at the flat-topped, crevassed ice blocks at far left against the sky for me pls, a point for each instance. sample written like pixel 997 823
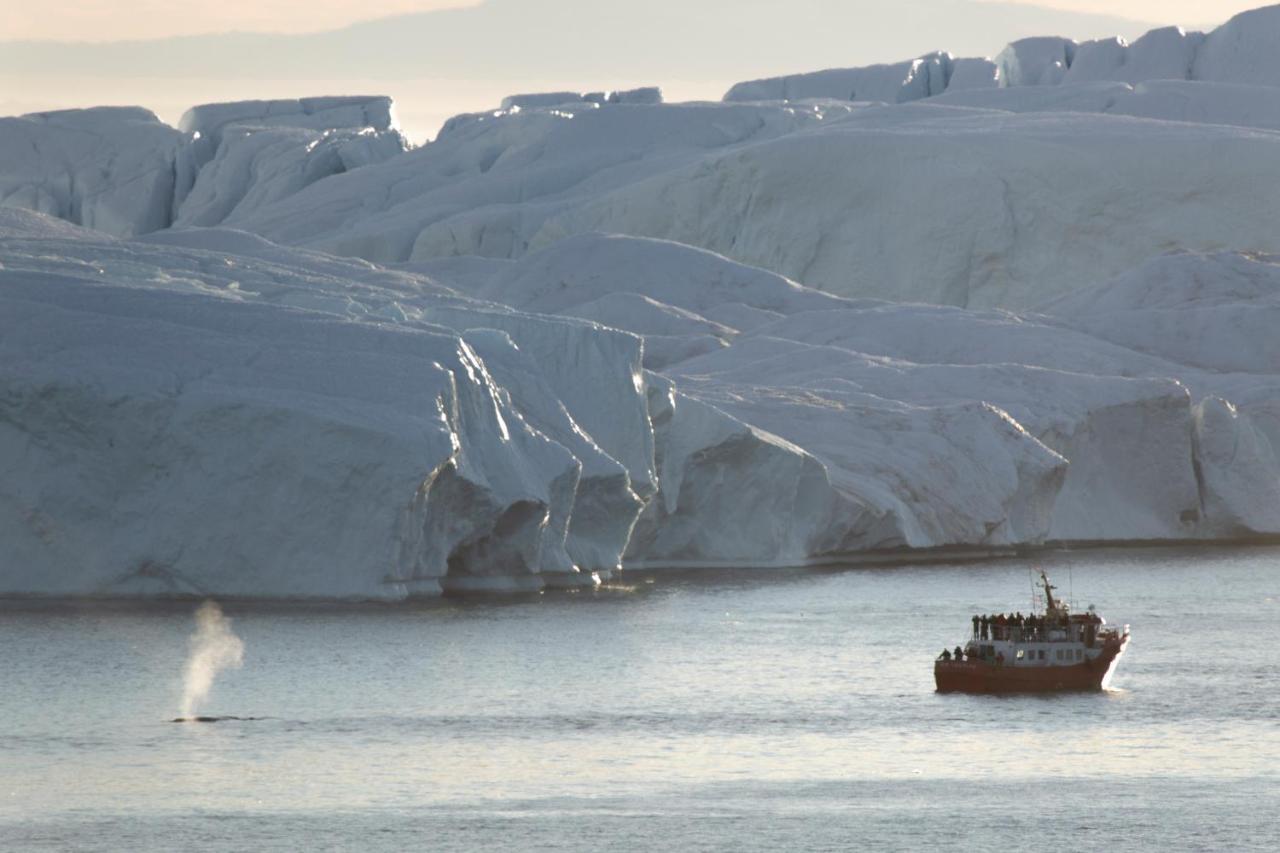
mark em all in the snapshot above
pixel 124 172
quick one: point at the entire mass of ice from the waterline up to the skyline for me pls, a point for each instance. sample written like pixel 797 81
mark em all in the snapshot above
pixel 278 353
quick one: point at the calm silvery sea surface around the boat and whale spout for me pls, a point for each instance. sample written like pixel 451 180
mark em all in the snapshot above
pixel 744 711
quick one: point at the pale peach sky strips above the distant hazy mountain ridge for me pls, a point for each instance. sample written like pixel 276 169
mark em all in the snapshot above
pixel 127 20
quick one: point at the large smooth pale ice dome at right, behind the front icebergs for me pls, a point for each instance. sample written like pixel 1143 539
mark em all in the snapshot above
pixel 1011 208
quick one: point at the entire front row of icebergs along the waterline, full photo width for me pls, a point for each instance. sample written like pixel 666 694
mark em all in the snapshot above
pixel 205 413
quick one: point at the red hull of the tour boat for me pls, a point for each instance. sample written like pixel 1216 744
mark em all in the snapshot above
pixel 979 677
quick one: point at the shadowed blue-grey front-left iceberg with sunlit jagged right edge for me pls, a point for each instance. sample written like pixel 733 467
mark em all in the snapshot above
pixel 223 426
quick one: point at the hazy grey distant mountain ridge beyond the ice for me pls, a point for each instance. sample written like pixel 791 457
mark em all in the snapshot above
pixel 661 40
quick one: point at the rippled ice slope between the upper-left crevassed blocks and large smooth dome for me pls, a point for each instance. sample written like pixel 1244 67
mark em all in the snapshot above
pixel 487 186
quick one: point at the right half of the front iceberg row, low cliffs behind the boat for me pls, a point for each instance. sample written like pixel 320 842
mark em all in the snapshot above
pixel 848 380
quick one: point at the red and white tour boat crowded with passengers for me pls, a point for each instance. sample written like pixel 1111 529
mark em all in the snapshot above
pixel 1049 651
